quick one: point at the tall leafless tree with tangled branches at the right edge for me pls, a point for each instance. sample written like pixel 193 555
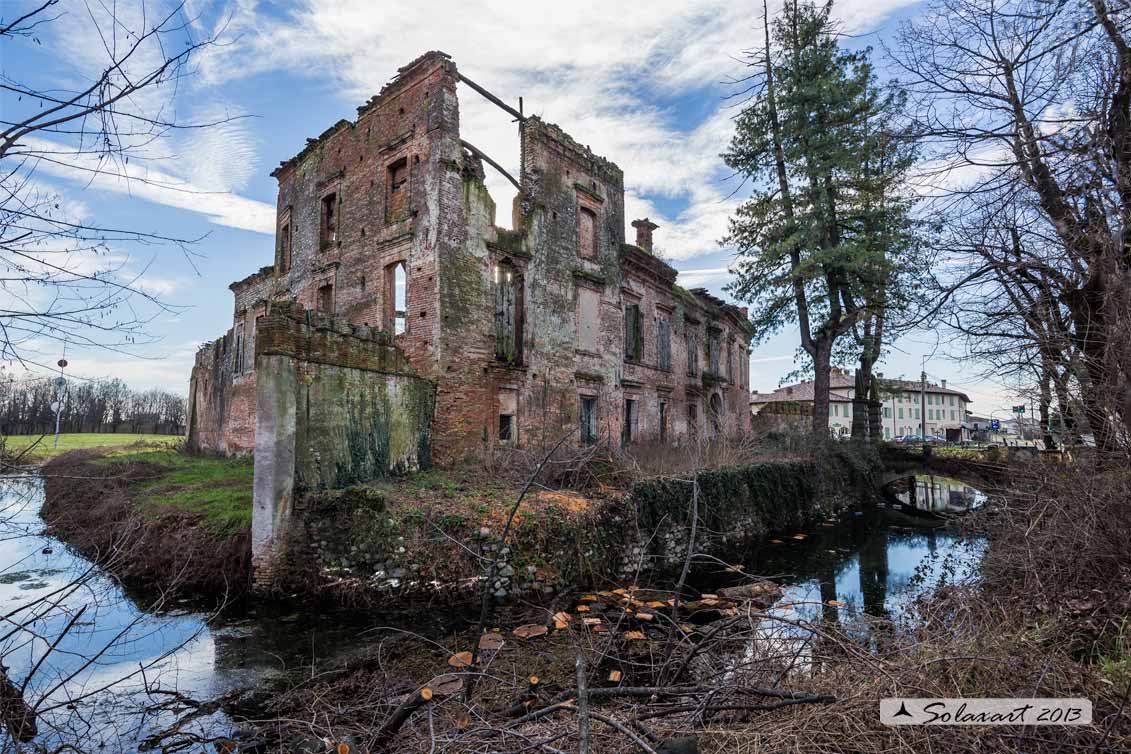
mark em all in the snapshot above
pixel 1031 103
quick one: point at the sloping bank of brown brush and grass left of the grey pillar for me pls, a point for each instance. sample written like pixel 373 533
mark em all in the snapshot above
pixel 161 521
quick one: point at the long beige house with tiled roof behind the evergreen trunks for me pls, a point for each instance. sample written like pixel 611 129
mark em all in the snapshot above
pixel 903 406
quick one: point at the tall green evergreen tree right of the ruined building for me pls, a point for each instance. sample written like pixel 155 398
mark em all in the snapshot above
pixel 814 239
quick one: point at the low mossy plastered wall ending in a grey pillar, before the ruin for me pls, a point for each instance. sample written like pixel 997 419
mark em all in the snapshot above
pixel 338 405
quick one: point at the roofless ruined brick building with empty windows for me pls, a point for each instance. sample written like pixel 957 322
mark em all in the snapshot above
pixel 556 326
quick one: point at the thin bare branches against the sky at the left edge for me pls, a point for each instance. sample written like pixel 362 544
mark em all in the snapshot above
pixel 64 279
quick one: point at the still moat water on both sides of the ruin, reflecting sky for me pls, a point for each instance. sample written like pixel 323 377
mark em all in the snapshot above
pixel 107 682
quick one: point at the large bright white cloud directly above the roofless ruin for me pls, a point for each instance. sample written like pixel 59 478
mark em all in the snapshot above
pixel 597 68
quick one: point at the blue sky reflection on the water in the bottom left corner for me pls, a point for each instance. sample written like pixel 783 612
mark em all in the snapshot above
pixel 96 658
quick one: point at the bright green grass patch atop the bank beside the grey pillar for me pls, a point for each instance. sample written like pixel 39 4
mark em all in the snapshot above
pixel 219 490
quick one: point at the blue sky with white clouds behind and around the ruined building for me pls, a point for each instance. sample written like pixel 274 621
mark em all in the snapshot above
pixel 642 83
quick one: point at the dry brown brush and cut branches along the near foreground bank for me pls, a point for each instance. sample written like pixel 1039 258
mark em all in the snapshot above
pixel 1047 618
